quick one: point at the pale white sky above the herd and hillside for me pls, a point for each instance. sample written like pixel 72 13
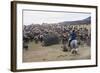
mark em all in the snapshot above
pixel 39 17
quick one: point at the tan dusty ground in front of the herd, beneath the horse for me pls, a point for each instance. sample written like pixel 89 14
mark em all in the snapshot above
pixel 37 53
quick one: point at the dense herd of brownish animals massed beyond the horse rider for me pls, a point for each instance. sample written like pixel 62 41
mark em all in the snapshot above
pixel 53 34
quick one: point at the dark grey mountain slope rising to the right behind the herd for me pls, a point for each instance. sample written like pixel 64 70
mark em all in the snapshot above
pixel 84 21
